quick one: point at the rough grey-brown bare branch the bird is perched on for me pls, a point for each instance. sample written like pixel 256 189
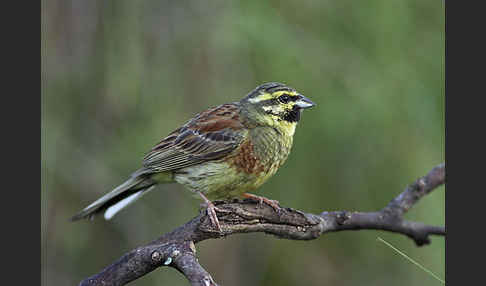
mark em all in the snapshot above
pixel 176 249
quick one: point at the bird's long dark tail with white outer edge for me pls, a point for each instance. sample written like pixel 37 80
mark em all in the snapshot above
pixel 119 198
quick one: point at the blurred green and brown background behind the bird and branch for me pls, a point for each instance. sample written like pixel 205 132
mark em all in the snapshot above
pixel 117 76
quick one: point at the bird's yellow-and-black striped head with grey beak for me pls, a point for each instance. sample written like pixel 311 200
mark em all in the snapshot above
pixel 275 104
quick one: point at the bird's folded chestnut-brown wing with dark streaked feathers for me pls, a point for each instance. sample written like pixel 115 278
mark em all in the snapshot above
pixel 210 135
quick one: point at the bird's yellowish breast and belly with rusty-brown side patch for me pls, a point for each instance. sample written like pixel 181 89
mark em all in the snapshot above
pixel 258 158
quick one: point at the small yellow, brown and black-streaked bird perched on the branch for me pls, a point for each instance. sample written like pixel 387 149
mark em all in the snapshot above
pixel 222 153
